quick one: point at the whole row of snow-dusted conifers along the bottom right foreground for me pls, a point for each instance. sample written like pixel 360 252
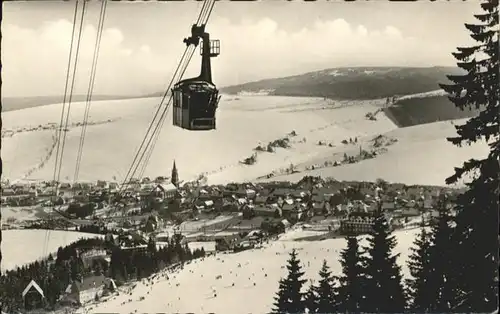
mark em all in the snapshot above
pixel 371 280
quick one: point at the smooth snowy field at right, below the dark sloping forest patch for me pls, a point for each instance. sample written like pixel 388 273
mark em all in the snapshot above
pixel 421 155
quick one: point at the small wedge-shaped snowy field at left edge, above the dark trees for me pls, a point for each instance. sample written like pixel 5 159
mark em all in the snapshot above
pixel 21 247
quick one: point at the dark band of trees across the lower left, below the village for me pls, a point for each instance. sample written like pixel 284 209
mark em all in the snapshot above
pixel 53 275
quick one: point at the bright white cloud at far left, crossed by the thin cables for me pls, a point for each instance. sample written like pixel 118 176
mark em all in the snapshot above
pixel 35 61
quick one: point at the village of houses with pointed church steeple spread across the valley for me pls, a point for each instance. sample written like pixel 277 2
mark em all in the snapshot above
pixel 146 215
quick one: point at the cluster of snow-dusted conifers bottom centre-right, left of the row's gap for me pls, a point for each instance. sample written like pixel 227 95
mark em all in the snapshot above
pixel 370 281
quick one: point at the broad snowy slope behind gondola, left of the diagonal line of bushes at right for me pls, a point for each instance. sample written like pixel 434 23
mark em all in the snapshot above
pixel 243 123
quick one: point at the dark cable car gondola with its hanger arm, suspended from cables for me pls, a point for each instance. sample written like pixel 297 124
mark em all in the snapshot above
pixel 195 100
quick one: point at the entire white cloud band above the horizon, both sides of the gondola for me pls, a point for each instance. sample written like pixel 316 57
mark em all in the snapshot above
pixel 35 61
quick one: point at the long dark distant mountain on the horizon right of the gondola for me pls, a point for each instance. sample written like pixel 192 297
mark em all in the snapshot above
pixel 351 83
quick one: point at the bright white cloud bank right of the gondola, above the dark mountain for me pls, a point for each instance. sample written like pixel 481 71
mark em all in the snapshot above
pixel 326 44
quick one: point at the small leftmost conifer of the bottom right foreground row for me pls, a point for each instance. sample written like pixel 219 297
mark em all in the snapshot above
pixel 289 298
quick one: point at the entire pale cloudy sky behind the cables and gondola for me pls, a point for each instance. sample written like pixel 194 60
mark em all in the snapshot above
pixel 142 42
